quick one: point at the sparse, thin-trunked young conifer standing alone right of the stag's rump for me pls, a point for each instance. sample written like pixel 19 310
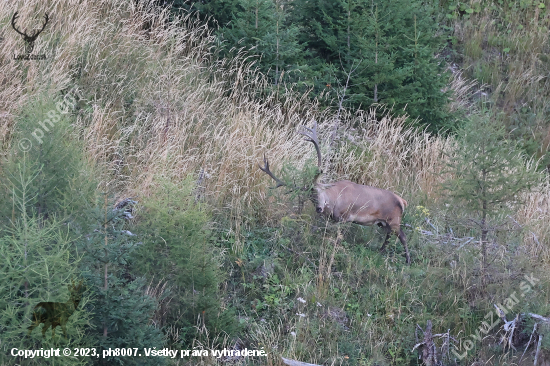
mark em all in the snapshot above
pixel 489 175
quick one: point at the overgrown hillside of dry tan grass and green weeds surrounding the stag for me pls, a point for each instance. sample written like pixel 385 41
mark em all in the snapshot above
pixel 157 105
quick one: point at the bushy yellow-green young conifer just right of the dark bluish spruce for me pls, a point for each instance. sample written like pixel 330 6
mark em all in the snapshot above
pixel 176 247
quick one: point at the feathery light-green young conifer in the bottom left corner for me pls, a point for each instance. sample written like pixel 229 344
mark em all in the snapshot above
pixel 38 265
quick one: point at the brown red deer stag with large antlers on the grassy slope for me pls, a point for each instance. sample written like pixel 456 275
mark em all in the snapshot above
pixel 345 201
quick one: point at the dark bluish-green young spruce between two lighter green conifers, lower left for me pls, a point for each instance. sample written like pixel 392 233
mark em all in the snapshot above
pixel 123 311
